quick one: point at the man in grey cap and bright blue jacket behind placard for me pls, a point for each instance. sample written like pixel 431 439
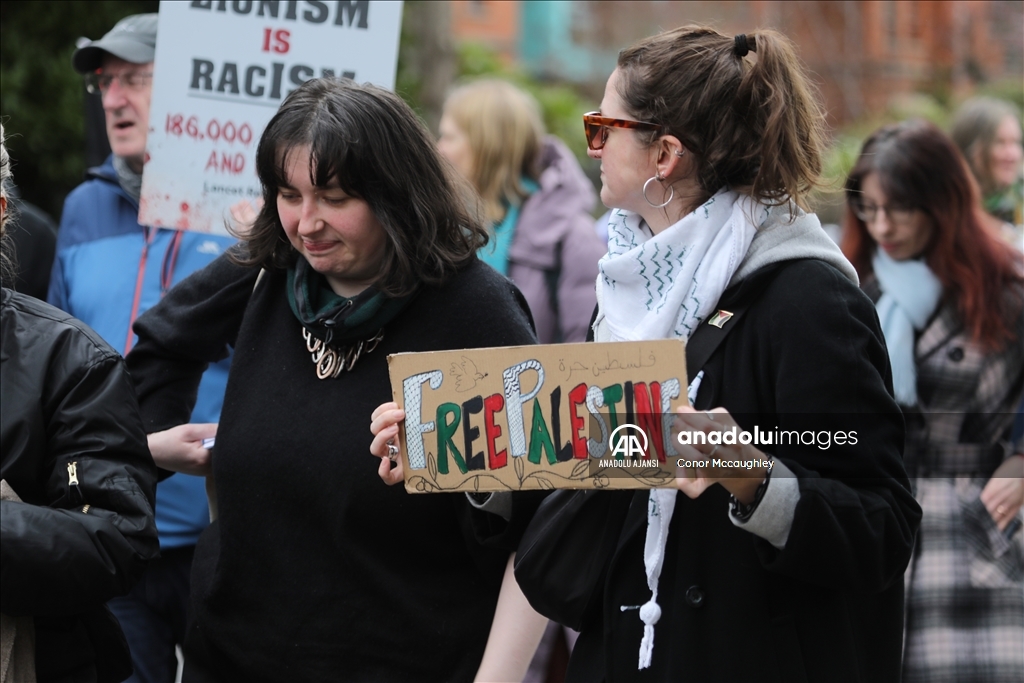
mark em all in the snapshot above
pixel 109 270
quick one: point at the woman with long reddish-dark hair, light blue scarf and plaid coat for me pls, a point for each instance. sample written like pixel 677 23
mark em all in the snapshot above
pixel 951 298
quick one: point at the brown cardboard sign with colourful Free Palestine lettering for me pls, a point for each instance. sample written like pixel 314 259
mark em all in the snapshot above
pixel 561 416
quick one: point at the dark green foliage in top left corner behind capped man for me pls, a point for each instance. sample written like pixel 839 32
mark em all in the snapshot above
pixel 42 97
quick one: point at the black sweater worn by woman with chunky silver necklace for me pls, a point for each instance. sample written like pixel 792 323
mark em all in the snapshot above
pixel 315 569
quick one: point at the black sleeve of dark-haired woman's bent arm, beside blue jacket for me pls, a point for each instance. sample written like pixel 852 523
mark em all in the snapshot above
pixel 195 325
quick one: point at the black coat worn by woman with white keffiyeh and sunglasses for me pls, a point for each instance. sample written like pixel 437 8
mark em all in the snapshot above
pixel 809 355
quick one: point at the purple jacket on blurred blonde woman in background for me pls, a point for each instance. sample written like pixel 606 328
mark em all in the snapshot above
pixel 554 252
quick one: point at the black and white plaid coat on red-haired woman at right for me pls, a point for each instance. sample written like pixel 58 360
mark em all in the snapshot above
pixel 965 596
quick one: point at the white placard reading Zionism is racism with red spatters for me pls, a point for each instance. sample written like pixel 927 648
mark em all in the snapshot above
pixel 222 72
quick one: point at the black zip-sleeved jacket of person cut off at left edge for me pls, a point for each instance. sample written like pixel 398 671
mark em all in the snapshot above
pixel 68 548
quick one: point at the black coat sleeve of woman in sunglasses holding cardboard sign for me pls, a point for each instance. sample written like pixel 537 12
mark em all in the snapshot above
pixel 857 519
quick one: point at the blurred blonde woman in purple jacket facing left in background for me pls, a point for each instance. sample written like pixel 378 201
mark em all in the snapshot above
pixel 537 197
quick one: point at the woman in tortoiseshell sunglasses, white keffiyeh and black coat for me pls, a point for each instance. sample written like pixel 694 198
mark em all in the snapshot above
pixel 709 147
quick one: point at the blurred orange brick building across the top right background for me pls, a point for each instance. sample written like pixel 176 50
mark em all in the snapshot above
pixel 864 54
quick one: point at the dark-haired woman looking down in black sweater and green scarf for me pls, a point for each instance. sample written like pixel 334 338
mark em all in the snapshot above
pixel 363 248
